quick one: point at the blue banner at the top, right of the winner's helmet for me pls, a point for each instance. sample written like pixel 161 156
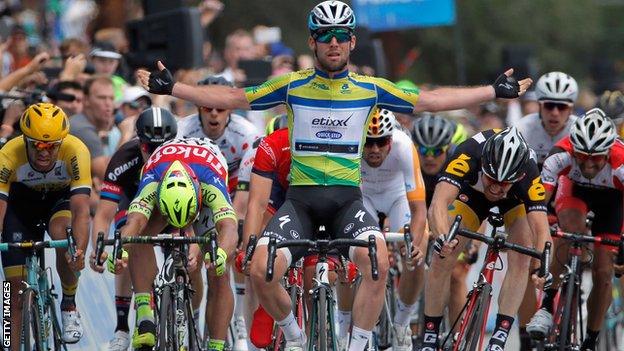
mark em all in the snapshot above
pixel 387 15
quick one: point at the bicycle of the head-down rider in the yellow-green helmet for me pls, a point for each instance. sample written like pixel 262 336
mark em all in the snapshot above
pixel 172 291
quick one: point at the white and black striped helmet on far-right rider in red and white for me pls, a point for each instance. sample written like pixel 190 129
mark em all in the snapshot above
pixel 594 133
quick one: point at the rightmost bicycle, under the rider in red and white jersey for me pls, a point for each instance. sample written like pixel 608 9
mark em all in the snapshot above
pixel 567 331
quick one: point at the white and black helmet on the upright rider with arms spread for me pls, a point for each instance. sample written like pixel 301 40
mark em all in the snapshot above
pixel 331 14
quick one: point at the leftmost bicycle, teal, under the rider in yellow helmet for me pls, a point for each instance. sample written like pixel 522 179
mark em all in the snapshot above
pixel 39 319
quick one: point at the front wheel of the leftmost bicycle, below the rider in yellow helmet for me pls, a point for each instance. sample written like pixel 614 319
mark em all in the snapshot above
pixel 31 322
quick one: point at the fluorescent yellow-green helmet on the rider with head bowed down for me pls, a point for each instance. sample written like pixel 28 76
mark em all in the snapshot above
pixel 179 196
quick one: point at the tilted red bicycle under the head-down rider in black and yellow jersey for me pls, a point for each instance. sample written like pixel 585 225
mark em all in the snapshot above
pixel 471 330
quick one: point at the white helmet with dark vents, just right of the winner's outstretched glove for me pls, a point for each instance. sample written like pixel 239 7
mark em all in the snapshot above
pixel 556 86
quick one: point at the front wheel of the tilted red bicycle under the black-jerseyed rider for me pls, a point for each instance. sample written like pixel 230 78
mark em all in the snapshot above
pixel 474 316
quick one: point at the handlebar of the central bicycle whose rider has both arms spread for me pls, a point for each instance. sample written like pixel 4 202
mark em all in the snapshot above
pixel 322 247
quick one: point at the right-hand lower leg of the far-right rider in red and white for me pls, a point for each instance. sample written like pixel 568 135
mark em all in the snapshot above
pixel 601 294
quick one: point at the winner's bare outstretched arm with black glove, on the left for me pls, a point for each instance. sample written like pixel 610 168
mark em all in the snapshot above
pixel 217 96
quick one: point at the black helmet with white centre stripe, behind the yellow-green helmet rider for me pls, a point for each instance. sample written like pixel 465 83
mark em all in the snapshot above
pixel 156 125
